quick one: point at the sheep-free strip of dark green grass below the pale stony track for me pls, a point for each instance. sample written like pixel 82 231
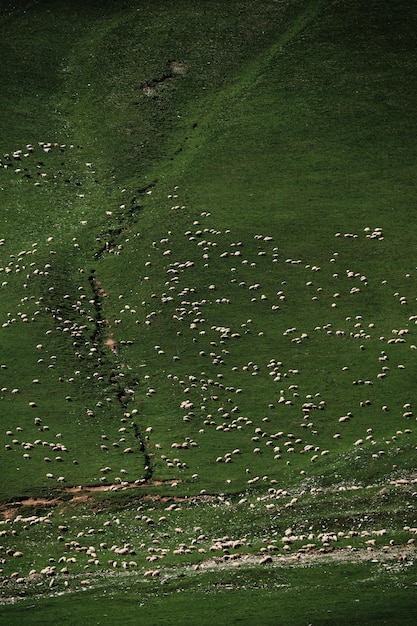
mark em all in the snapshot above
pixel 268 597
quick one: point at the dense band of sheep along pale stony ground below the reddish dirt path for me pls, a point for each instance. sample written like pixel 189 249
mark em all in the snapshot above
pixel 159 536
